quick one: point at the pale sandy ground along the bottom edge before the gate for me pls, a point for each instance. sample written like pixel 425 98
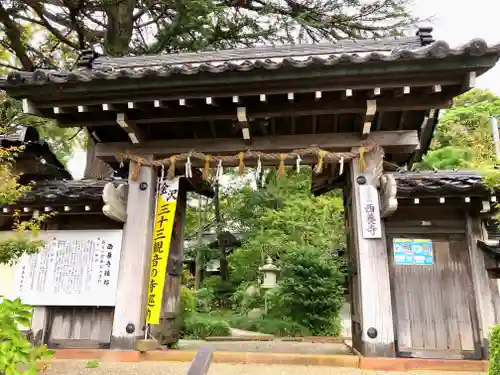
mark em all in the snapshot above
pixel 76 367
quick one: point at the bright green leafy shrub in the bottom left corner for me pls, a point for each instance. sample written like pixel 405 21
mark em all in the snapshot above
pixel 17 355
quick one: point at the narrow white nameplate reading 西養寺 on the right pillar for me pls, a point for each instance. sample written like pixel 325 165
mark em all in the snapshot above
pixel 370 211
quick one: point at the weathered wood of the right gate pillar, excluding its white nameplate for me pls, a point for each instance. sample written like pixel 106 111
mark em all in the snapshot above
pixel 373 273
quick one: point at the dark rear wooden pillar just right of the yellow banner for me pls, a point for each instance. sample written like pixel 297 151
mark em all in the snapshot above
pixel 168 331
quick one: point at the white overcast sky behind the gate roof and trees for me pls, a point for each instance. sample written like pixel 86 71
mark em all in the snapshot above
pixel 454 22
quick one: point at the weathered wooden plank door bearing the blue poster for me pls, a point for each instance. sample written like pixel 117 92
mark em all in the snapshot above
pixel 434 305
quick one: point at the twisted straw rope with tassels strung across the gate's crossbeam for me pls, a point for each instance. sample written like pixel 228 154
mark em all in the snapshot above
pixel 211 160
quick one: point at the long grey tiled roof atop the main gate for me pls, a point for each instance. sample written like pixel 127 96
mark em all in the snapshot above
pixel 250 59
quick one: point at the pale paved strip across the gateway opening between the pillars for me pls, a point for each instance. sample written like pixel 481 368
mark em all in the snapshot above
pixel 266 347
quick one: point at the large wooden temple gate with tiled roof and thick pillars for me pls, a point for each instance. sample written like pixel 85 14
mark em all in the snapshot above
pixel 380 99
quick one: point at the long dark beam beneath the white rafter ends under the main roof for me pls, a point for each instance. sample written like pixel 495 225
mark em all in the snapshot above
pixel 262 109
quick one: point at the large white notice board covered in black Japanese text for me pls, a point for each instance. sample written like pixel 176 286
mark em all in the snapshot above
pixel 75 268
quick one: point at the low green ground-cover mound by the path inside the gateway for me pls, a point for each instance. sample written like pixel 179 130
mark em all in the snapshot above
pixel 278 327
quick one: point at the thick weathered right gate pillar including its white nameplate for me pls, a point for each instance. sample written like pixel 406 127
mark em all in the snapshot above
pixel 373 330
